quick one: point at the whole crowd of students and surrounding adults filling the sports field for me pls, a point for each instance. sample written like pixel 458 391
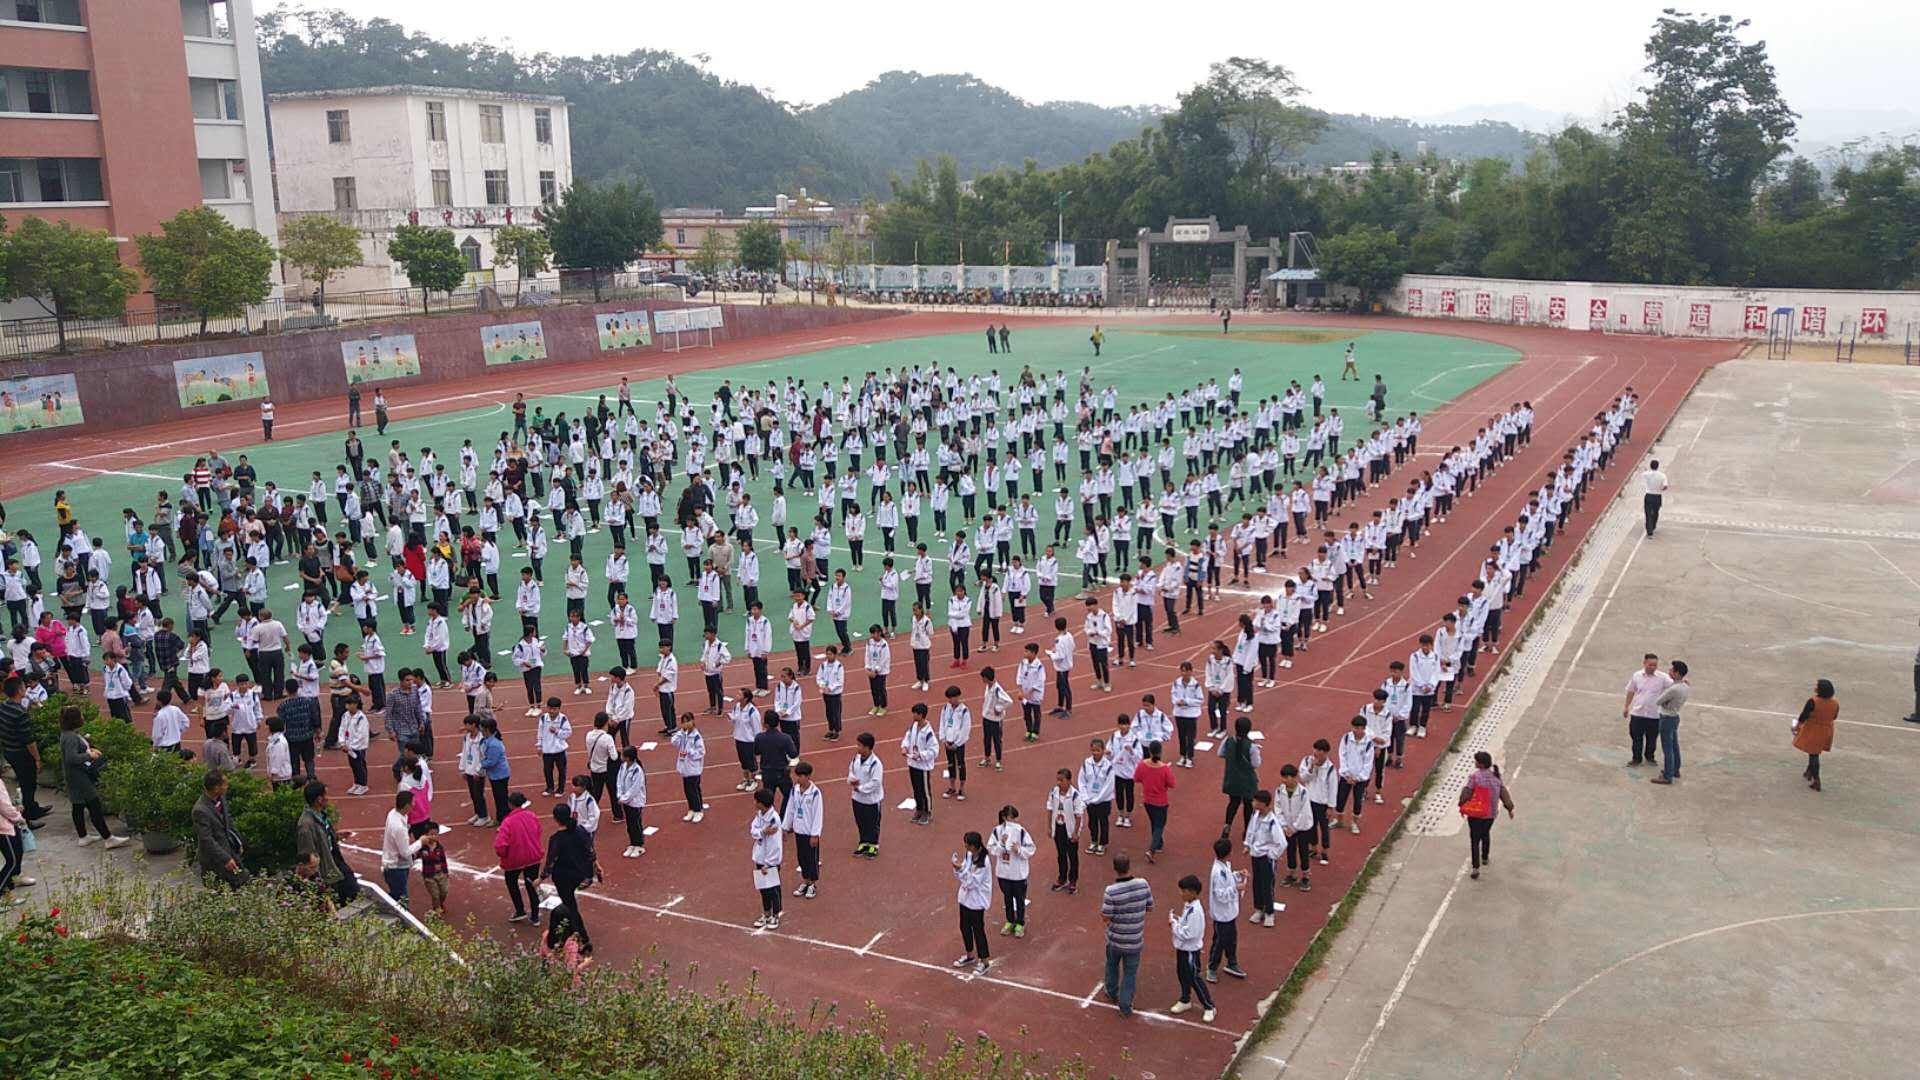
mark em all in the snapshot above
pixel 1178 503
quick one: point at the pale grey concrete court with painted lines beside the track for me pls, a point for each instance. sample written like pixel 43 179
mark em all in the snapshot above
pixel 1737 923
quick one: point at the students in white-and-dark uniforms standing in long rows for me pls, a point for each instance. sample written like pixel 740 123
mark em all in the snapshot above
pixel 953 441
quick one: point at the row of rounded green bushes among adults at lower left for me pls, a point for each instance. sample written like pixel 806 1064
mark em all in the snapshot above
pixel 156 793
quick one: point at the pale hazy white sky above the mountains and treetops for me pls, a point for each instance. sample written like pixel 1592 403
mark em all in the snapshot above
pixel 1393 59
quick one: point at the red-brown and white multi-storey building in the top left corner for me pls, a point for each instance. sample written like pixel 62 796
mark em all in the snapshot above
pixel 118 116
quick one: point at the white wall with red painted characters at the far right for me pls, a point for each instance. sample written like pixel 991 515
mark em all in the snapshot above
pixel 1671 310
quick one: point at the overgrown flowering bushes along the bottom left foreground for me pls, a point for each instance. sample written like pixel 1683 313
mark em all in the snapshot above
pixel 260 981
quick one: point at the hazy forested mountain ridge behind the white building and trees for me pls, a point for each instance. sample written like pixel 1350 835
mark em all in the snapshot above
pixel 704 141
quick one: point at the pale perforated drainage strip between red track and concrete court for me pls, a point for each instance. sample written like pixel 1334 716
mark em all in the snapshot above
pixel 1525 672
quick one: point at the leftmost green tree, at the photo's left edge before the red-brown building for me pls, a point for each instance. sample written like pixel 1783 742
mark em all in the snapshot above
pixel 68 272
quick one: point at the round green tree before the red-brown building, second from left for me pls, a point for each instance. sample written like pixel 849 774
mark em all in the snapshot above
pixel 203 262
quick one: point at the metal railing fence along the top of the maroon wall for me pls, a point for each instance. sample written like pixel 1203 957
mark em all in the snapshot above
pixel 30 337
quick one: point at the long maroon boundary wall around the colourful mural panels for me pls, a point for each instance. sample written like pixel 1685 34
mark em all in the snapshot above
pixel 135 387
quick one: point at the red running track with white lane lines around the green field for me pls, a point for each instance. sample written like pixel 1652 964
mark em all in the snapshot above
pixel 886 931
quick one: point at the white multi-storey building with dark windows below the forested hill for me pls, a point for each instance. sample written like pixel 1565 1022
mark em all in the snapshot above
pixel 387 157
